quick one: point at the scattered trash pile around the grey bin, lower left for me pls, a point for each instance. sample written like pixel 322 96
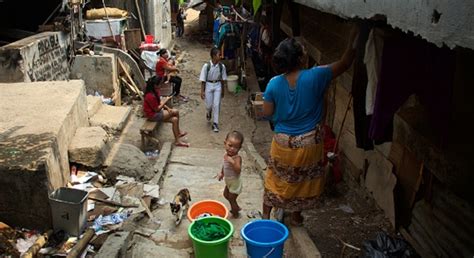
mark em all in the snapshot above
pixel 108 207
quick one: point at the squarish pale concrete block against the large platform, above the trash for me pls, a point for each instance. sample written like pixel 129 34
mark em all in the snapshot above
pixel 89 146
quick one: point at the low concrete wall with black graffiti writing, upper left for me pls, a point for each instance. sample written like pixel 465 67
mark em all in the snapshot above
pixel 41 57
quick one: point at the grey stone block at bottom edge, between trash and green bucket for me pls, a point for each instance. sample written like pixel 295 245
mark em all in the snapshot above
pixel 115 246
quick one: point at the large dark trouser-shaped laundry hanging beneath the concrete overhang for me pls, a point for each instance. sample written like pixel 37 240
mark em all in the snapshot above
pixel 413 66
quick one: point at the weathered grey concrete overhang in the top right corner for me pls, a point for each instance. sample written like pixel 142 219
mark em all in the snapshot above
pixel 438 21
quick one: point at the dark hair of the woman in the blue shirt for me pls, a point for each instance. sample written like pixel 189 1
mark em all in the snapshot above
pixel 287 56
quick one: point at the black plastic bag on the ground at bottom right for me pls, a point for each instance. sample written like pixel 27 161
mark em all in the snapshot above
pixel 385 246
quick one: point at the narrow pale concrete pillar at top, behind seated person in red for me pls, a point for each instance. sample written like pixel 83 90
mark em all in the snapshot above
pixel 159 21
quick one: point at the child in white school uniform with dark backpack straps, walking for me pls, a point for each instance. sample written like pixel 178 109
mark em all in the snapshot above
pixel 213 82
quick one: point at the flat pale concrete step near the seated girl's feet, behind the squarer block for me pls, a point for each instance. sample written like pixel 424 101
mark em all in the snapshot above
pixel 111 118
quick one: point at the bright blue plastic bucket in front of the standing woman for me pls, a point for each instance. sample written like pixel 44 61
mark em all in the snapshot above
pixel 264 238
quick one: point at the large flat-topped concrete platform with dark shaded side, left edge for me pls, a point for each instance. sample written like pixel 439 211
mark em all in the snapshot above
pixel 35 133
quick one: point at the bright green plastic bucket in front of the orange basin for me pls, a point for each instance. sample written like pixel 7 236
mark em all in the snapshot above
pixel 212 249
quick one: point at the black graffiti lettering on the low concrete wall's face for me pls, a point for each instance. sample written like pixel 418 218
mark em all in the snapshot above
pixel 49 60
